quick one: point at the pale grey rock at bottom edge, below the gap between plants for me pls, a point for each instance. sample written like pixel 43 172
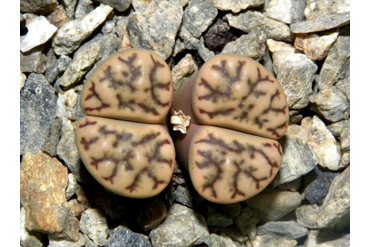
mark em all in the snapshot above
pixel 183 227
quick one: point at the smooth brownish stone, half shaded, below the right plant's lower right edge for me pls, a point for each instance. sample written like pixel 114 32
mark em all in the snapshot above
pixel 271 205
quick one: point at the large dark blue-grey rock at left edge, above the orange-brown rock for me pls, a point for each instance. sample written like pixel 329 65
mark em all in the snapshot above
pixel 37 112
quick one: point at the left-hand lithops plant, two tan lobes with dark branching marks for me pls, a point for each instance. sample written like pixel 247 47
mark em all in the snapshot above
pixel 124 141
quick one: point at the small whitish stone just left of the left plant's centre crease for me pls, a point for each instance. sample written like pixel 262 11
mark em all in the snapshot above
pixel 67 104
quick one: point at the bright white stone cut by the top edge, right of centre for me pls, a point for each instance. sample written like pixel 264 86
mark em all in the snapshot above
pixel 287 11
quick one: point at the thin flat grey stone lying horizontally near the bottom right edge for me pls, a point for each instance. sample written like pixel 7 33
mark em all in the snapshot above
pixel 288 229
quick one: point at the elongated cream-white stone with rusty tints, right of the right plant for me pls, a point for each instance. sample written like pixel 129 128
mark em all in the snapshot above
pixel 325 147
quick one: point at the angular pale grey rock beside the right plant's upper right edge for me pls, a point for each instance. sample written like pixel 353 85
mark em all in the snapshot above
pixel 295 73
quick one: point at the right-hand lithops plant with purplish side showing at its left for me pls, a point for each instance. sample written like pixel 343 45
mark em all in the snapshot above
pixel 237 111
